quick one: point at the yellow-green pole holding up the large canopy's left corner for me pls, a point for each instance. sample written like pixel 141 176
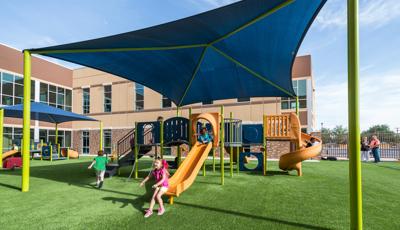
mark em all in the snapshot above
pixel 26 132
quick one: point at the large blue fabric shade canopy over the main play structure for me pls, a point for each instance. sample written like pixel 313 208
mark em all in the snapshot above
pixel 245 49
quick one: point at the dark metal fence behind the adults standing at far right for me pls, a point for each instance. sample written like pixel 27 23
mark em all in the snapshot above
pixel 336 145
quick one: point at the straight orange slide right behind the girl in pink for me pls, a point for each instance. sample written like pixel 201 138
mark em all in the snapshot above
pixel 190 167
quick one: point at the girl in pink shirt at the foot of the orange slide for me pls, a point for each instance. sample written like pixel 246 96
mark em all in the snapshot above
pixel 160 174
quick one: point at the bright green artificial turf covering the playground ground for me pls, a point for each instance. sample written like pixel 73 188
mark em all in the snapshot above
pixel 62 197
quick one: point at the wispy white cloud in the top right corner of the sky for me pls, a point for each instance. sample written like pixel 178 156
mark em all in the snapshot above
pixel 372 13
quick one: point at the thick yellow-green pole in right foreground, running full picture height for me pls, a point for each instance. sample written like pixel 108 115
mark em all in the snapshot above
pixel 354 116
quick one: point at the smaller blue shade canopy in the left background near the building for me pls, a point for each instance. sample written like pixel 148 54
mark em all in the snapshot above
pixel 43 112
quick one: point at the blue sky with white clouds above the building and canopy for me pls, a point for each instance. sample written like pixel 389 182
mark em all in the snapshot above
pixel 57 22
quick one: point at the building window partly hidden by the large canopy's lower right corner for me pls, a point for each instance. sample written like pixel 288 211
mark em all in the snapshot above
pixel 300 88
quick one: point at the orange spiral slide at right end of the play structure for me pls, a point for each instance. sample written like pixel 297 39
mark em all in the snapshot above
pixel 292 160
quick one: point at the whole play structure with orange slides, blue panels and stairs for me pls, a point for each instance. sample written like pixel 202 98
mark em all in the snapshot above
pixel 176 131
